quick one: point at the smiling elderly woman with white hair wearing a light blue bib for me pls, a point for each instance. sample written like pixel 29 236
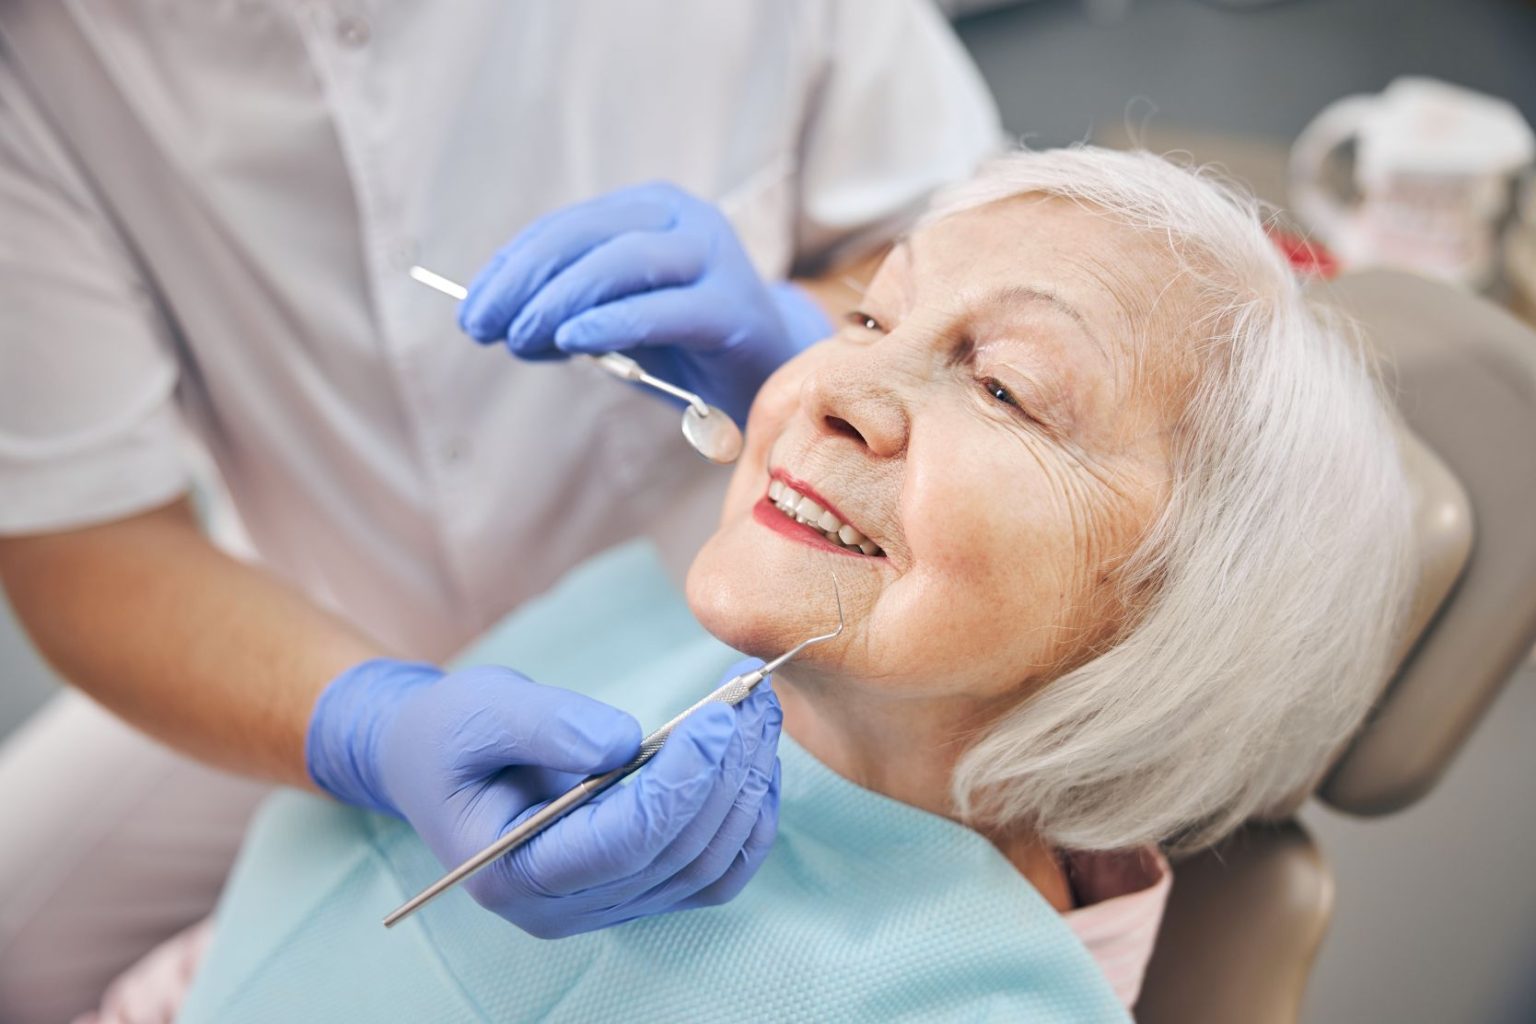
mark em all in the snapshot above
pixel 1124 543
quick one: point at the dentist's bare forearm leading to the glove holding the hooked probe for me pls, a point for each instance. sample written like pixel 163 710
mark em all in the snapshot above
pixel 210 656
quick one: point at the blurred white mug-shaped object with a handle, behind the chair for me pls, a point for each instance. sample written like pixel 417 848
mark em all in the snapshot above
pixel 1434 168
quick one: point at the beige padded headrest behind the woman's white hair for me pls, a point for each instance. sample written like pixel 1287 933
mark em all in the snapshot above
pixel 1465 374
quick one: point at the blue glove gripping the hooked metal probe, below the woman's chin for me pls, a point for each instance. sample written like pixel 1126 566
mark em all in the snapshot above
pixel 466 756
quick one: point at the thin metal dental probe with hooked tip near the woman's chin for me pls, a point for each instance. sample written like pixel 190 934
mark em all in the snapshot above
pixel 730 693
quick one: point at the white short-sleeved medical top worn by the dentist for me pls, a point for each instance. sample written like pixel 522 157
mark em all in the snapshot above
pixel 208 210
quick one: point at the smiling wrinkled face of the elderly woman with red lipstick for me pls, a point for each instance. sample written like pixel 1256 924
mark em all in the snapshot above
pixel 996 424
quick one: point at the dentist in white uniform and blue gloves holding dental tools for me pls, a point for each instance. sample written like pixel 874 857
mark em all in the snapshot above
pixel 207 216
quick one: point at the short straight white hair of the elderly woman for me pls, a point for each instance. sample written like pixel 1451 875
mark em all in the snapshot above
pixel 1270 593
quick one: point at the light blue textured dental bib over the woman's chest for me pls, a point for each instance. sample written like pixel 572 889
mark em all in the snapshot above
pixel 867 910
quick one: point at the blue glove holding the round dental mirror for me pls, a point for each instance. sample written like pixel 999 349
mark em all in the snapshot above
pixel 655 273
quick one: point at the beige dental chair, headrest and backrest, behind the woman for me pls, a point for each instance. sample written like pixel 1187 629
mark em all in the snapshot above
pixel 1246 919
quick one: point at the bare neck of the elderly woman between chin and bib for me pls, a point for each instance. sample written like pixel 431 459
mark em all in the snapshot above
pixel 907 750
